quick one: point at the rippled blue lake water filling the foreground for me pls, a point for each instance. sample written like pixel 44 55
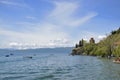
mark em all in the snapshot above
pixel 56 66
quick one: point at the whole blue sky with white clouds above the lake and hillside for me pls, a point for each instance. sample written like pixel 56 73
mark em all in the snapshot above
pixel 55 23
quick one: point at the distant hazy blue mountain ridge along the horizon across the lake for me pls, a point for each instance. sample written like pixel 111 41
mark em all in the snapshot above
pixel 38 50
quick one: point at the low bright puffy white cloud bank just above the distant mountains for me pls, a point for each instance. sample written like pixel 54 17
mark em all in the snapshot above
pixel 59 42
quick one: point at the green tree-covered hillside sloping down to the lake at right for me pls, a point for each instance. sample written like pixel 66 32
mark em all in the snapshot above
pixel 109 46
